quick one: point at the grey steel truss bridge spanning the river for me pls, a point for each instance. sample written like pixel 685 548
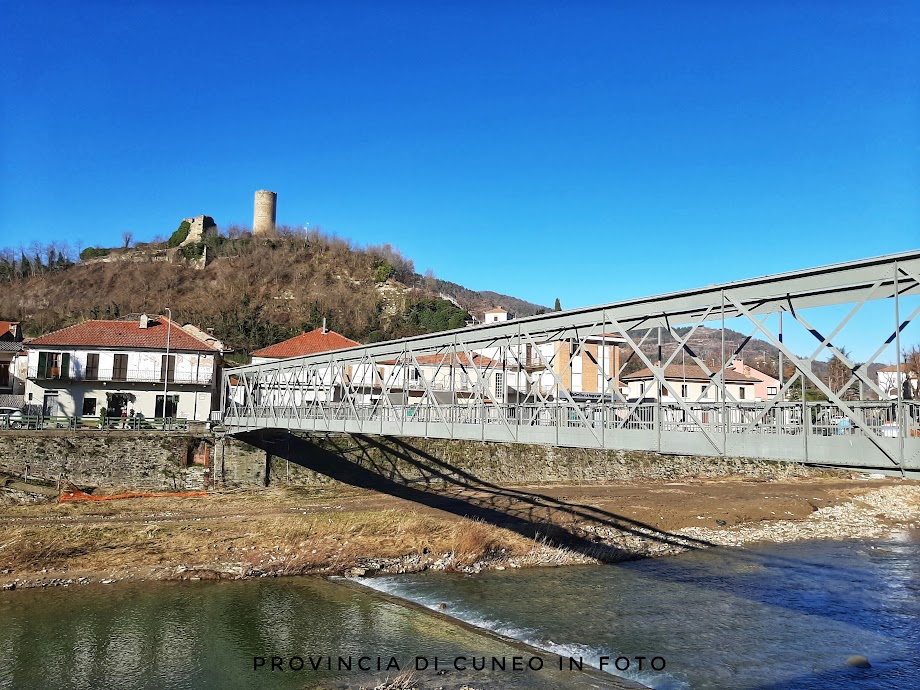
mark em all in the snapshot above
pixel 515 381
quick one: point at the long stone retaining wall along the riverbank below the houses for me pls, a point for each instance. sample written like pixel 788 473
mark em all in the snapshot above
pixel 166 461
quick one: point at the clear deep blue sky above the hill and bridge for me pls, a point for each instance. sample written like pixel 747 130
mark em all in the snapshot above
pixel 590 151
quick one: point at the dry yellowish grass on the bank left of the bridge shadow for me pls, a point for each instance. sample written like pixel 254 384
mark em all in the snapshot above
pixel 272 532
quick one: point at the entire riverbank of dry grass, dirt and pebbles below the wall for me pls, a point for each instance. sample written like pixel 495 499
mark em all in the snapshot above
pixel 340 530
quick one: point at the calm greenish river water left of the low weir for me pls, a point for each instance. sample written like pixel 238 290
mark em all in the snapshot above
pixel 206 635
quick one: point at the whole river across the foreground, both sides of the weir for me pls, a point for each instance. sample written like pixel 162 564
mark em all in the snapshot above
pixel 769 616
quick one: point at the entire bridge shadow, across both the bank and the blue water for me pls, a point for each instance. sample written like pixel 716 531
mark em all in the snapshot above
pixel 395 467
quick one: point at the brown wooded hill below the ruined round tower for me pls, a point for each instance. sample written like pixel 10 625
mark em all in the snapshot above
pixel 254 291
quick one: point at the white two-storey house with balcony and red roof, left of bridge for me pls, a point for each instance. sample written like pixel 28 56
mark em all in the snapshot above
pixel 124 366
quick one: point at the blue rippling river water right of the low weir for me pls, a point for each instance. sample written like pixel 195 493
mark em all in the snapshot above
pixel 770 616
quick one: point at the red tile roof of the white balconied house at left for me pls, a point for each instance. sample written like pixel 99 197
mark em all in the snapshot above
pixel 125 334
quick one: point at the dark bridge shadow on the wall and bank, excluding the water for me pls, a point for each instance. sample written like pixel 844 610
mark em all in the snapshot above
pixel 395 467
